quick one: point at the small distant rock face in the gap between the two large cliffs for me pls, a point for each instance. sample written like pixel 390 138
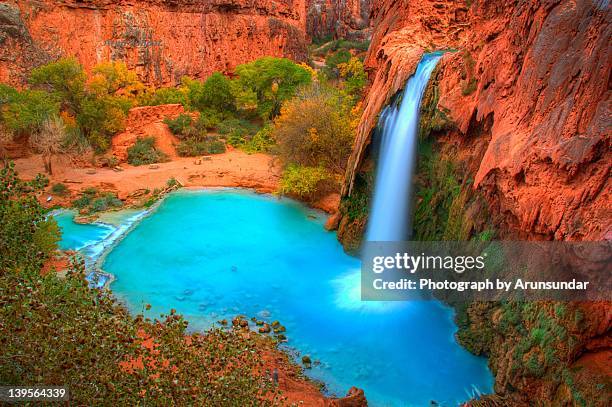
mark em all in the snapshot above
pixel 339 19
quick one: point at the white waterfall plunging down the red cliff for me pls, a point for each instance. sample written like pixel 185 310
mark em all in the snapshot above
pixel 391 212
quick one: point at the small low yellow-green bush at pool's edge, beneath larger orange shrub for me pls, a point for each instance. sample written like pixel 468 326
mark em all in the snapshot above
pixel 305 182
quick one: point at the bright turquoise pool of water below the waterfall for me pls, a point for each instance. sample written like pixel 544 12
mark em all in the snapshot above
pixel 215 254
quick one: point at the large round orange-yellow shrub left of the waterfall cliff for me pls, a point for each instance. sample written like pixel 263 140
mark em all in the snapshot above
pixel 316 128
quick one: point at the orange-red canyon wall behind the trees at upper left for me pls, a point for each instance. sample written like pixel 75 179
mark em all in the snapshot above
pixel 161 40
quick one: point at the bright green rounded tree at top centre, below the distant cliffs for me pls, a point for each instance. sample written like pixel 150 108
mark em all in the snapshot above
pixel 264 84
